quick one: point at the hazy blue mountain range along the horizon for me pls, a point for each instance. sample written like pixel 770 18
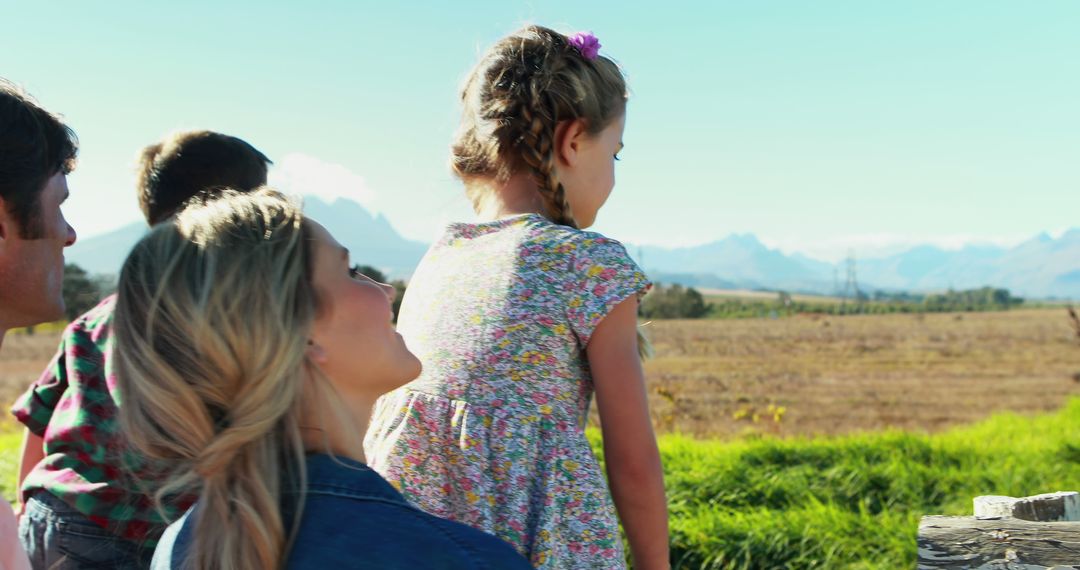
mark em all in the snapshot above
pixel 1042 267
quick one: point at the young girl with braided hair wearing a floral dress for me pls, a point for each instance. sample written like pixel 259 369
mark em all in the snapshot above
pixel 520 318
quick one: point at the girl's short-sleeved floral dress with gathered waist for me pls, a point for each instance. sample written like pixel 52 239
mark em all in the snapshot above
pixel 492 435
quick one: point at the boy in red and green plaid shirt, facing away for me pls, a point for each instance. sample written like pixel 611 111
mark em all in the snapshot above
pixel 80 506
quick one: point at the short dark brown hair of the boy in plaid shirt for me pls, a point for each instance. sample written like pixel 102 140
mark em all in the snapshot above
pixel 195 164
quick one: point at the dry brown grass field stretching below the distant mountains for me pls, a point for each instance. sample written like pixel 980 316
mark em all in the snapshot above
pixel 813 375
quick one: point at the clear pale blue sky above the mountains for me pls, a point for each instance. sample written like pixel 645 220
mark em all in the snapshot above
pixel 820 127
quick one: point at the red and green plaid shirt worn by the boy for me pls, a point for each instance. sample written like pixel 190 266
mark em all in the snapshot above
pixel 74 409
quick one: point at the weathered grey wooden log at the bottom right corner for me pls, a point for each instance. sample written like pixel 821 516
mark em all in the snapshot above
pixel 969 544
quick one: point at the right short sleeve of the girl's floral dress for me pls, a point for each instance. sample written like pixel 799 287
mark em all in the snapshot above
pixel 602 276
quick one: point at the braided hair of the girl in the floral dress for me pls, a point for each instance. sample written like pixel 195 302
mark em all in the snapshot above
pixel 514 101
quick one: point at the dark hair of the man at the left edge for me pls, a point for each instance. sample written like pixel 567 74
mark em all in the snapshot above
pixel 35 145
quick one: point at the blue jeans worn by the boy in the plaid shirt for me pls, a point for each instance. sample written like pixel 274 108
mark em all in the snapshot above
pixel 58 537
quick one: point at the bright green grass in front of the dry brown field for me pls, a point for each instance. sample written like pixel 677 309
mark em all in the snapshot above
pixel 838 503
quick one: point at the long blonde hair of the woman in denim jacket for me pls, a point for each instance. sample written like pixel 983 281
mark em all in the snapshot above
pixel 212 325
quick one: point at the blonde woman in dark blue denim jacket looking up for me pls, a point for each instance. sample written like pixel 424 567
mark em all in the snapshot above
pixel 250 356
